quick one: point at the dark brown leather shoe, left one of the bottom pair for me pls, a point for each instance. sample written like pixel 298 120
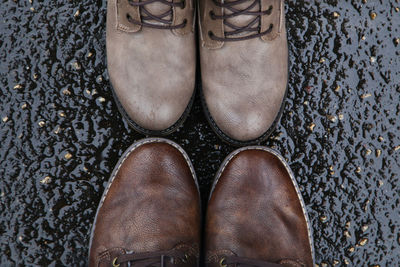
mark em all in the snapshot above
pixel 149 214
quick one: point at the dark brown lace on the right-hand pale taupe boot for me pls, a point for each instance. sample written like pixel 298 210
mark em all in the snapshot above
pixel 253 26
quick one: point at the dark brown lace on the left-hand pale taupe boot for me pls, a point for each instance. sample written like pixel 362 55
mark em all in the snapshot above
pixel 146 15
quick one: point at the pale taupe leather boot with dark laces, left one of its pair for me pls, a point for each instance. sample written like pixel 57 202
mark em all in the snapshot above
pixel 151 60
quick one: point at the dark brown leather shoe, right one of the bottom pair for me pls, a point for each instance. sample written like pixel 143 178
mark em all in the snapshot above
pixel 256 215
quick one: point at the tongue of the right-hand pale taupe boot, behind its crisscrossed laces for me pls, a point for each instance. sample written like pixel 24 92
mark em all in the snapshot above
pixel 241 20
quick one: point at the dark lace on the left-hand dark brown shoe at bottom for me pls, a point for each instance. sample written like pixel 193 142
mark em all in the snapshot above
pixel 148 259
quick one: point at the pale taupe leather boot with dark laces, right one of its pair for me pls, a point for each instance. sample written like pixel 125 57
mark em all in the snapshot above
pixel 244 67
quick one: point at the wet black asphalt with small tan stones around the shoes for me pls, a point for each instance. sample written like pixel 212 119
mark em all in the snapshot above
pixel 61 133
